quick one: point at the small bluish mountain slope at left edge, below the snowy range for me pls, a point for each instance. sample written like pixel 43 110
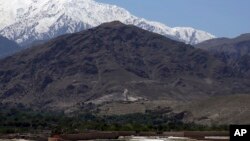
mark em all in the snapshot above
pixel 7 47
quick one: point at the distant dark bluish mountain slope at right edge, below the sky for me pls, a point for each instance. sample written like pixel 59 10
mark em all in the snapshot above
pixel 234 52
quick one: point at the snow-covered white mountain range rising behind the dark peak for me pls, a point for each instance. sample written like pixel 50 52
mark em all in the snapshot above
pixel 26 21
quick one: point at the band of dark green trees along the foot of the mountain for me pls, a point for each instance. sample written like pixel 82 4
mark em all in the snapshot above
pixel 24 120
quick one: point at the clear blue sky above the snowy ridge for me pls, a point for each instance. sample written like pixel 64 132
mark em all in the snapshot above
pixel 223 18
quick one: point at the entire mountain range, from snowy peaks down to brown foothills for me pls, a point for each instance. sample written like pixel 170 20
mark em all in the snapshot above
pixel 121 67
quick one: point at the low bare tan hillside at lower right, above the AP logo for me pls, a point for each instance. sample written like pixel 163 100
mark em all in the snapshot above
pixel 231 109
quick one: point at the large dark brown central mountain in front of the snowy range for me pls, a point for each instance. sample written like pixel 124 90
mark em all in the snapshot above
pixel 114 62
